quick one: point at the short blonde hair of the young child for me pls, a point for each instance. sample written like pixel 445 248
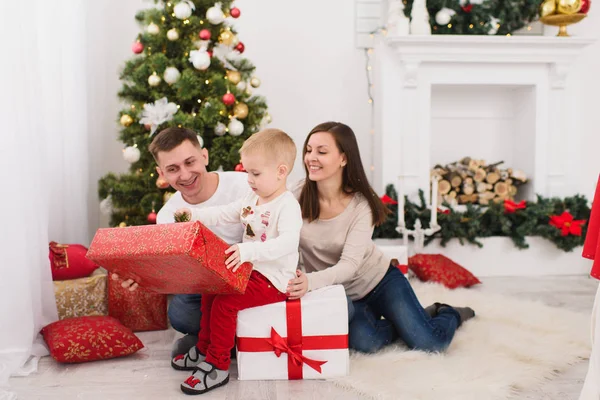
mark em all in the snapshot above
pixel 274 142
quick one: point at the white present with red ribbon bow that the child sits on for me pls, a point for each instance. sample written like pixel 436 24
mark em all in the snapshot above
pixel 295 339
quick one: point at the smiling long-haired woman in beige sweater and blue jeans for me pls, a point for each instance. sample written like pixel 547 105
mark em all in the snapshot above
pixel 340 210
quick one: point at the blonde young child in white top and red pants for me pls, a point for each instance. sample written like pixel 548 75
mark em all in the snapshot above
pixel 272 221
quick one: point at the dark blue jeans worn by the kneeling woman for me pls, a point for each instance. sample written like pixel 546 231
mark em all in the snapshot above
pixel 405 319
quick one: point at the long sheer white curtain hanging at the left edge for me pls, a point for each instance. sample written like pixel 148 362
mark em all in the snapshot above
pixel 43 157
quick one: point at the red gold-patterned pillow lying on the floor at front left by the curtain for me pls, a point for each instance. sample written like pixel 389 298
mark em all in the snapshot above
pixel 82 339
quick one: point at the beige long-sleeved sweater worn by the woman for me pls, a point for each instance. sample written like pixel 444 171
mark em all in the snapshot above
pixel 340 250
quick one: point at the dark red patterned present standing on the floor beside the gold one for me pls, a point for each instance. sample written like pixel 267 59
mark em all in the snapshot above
pixel 140 310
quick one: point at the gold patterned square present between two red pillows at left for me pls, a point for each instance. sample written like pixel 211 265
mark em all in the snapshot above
pixel 81 297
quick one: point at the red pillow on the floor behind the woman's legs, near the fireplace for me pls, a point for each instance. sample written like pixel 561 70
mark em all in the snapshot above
pixel 441 269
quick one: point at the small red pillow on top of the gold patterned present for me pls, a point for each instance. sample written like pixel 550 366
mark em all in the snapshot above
pixel 68 261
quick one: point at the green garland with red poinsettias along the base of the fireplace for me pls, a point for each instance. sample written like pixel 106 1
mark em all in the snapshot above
pixel 479 222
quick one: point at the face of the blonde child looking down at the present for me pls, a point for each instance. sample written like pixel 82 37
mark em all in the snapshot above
pixel 265 176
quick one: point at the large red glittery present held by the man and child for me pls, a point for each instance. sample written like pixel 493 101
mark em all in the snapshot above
pixel 173 258
